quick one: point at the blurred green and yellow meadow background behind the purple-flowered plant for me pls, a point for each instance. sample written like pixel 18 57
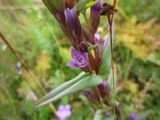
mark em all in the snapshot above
pixel 36 36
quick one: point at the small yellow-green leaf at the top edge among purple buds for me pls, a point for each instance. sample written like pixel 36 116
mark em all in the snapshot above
pixel 84 4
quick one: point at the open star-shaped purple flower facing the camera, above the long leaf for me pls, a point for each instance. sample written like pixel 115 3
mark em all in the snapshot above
pixel 79 59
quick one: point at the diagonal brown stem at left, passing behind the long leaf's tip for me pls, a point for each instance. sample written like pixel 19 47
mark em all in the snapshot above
pixel 43 92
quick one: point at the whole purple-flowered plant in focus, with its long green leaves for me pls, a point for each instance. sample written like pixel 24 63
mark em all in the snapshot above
pixel 91 52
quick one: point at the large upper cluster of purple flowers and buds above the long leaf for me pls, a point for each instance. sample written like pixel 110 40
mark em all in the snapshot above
pixel 87 44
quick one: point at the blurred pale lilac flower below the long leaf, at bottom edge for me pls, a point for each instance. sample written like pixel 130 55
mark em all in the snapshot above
pixel 64 111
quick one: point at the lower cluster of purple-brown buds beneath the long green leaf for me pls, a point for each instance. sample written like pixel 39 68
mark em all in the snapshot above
pixel 100 96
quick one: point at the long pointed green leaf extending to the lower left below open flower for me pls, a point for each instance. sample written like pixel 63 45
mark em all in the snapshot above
pixel 70 87
